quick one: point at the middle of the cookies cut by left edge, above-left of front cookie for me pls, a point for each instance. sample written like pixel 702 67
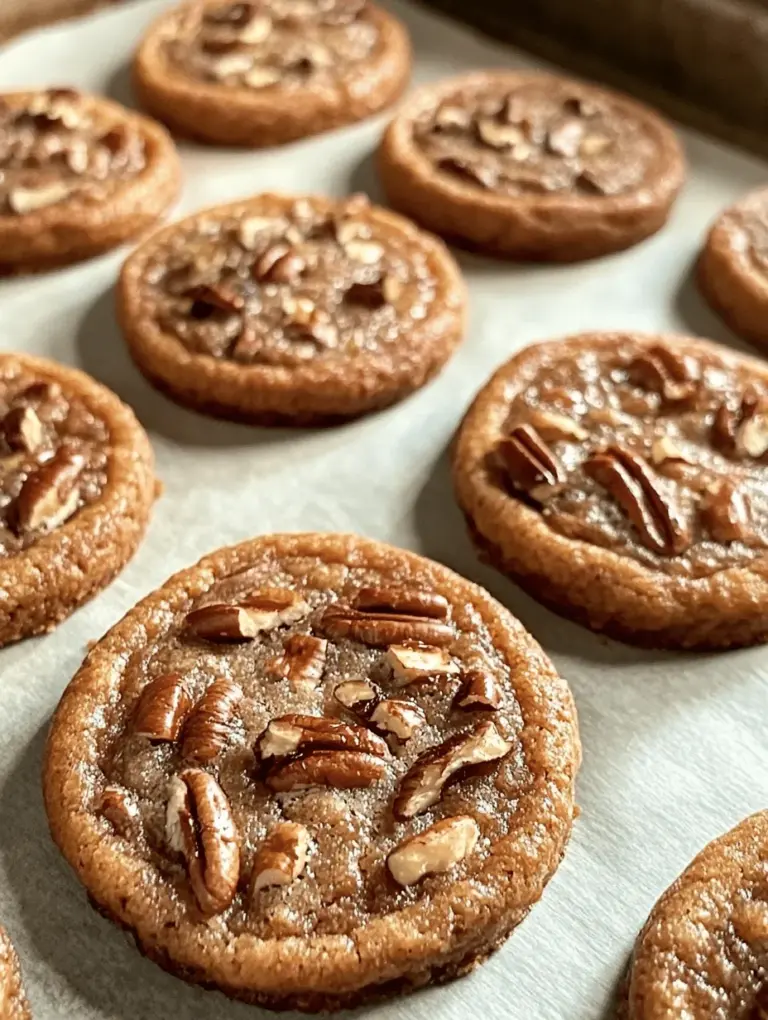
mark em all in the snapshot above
pixel 77 487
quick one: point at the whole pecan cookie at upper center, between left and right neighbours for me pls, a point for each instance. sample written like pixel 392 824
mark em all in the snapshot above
pixel 294 311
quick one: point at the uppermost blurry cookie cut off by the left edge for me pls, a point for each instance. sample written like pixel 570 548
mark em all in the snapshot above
pixel 79 175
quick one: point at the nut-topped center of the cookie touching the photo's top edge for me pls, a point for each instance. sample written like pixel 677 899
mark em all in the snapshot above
pixel 291 43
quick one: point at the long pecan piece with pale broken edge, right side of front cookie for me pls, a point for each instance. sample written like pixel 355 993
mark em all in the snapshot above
pixel 424 784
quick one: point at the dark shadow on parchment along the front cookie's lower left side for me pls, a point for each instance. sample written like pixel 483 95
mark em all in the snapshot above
pixel 93 962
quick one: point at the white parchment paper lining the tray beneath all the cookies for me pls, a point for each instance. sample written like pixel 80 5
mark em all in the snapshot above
pixel 676 748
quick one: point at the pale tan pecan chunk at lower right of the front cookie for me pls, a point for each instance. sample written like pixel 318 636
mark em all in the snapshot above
pixel 435 851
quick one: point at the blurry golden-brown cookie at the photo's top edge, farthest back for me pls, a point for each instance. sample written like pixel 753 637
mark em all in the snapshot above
pixel 252 75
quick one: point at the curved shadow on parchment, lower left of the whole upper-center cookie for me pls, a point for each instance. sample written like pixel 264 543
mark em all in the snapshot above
pixel 104 354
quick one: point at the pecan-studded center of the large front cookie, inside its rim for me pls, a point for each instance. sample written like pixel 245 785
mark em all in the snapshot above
pixel 312 745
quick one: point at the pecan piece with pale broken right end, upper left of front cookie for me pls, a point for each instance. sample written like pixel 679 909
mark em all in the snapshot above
pixel 245 621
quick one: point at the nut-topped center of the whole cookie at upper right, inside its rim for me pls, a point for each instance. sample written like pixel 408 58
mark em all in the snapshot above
pixel 536 139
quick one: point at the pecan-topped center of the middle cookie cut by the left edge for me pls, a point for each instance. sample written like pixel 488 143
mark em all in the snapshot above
pixel 54 458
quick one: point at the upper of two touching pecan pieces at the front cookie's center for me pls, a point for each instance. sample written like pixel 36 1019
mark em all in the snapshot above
pixel 298 734
